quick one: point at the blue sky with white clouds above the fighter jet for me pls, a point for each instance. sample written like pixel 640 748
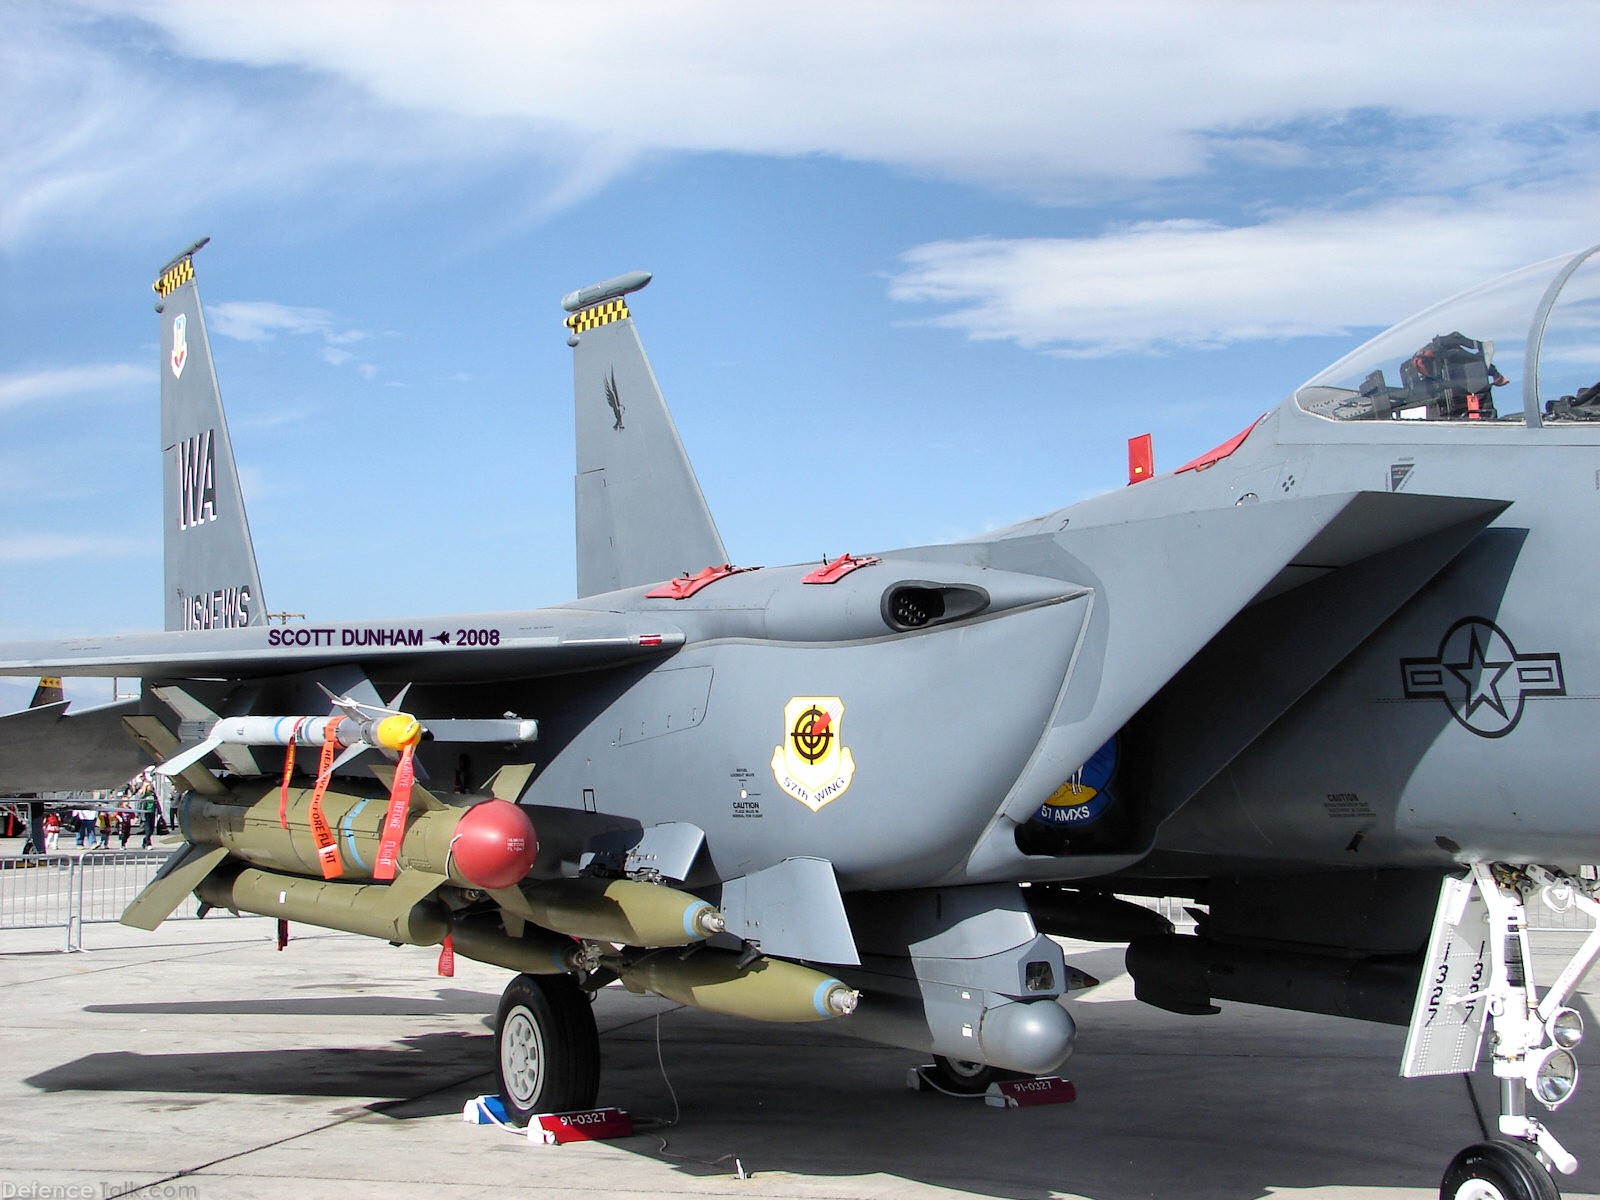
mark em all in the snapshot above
pixel 921 268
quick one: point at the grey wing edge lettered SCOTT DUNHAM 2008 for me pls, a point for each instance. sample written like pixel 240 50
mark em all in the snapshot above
pixel 479 647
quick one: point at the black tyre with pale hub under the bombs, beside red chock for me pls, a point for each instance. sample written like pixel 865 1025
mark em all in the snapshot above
pixel 546 1047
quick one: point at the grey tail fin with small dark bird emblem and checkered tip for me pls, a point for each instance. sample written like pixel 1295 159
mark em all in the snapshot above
pixel 641 513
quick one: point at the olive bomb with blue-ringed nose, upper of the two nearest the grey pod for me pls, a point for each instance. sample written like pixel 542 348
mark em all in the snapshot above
pixel 623 911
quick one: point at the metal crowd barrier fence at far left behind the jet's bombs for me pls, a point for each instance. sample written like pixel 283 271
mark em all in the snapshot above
pixel 68 892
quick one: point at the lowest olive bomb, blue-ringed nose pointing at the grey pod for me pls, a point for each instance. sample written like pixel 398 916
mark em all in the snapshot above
pixel 769 990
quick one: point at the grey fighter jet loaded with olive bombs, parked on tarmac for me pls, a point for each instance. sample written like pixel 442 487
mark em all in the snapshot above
pixel 1334 682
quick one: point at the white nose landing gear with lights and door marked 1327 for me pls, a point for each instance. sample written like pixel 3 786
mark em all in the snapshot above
pixel 1479 967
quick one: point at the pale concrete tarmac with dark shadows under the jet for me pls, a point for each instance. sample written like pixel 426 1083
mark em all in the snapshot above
pixel 199 1063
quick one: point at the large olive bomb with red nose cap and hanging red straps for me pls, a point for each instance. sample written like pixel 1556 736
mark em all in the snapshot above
pixel 489 846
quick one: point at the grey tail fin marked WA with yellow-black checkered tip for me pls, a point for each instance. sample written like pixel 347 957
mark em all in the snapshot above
pixel 212 580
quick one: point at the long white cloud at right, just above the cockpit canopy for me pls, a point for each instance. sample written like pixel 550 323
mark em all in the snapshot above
pixel 1193 284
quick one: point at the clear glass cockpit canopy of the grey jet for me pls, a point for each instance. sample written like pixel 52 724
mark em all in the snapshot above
pixel 1522 350
